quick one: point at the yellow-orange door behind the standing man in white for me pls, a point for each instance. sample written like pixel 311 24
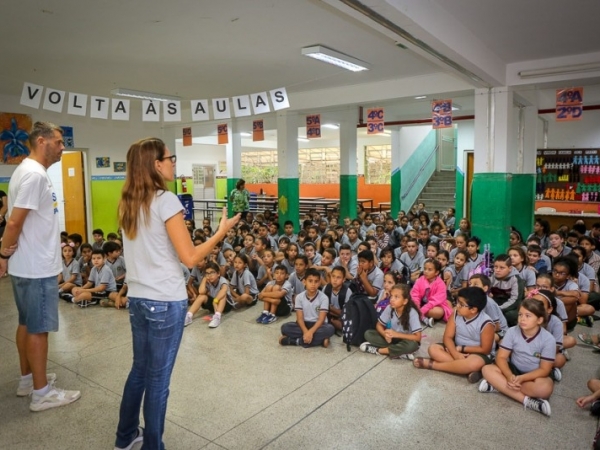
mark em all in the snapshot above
pixel 74 193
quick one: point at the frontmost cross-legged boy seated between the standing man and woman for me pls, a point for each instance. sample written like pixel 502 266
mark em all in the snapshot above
pixel 101 283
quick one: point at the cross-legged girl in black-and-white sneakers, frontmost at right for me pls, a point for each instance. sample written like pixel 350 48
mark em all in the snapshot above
pixel 524 361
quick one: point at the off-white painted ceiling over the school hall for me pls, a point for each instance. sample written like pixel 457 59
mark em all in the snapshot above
pixel 208 48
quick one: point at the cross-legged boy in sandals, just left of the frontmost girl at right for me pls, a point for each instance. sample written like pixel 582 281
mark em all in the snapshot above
pixel 468 339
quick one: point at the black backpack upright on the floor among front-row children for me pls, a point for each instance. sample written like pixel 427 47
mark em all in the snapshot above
pixel 359 315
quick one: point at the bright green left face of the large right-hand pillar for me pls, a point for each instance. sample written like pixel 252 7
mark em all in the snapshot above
pixel 490 209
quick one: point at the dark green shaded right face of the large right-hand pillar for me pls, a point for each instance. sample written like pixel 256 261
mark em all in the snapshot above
pixel 522 205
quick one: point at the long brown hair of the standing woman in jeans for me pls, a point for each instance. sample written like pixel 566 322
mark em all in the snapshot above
pixel 142 181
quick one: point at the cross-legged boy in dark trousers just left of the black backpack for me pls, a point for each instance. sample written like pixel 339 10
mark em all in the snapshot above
pixel 311 327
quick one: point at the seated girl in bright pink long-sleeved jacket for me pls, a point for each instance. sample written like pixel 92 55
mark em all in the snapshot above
pixel 429 293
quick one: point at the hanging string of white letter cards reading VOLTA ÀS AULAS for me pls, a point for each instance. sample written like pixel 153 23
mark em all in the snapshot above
pixel 119 109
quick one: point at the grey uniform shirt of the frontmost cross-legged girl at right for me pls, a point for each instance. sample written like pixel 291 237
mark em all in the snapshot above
pixel 526 353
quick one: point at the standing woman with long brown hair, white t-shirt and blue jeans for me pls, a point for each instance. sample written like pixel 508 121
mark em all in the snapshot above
pixel 156 240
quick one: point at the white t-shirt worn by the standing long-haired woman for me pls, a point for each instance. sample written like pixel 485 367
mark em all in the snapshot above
pixel 153 267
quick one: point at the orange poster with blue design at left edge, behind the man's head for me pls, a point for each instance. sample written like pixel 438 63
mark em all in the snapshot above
pixel 14 135
